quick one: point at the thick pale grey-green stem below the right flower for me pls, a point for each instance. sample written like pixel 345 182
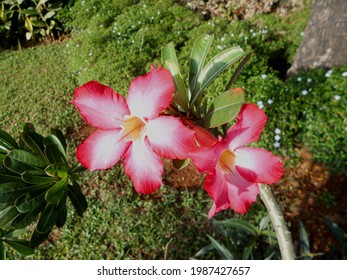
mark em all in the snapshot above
pixel 284 236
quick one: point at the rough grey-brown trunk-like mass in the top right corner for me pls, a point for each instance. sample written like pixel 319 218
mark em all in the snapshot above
pixel 325 37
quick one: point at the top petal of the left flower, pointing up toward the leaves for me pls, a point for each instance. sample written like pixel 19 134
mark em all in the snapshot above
pixel 151 94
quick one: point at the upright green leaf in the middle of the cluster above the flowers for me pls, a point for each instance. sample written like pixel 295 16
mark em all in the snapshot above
pixel 197 59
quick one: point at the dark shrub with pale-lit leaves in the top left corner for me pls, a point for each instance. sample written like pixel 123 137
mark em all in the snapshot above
pixel 29 19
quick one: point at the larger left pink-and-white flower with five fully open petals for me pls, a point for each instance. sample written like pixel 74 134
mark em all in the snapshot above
pixel 133 128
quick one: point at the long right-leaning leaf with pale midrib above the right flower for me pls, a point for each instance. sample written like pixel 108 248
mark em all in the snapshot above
pixel 214 67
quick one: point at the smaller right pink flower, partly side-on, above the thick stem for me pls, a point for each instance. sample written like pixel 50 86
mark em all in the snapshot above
pixel 234 171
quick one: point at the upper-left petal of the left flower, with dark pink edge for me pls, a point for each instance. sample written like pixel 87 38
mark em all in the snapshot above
pixel 99 105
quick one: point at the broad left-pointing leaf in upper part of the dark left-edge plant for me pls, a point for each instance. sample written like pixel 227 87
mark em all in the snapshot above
pixel 20 161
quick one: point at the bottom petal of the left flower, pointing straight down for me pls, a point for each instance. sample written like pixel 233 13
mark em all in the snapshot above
pixel 143 166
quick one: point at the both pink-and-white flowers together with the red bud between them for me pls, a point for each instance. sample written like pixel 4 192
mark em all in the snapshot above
pixel 140 130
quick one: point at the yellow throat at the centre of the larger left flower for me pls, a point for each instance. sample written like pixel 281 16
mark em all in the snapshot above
pixel 133 128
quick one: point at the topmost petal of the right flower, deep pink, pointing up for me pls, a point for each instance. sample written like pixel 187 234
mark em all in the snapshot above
pixel 249 124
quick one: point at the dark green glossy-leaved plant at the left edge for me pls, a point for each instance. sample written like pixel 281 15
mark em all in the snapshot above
pixel 35 183
